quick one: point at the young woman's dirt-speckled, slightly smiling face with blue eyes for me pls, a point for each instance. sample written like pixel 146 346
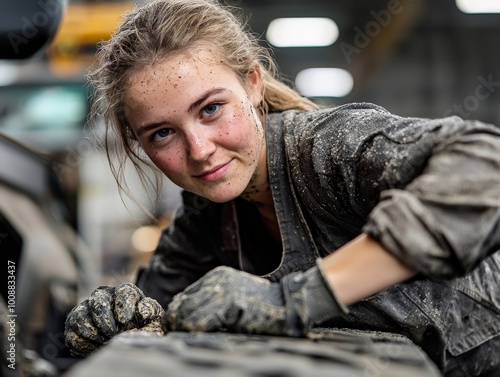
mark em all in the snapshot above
pixel 195 120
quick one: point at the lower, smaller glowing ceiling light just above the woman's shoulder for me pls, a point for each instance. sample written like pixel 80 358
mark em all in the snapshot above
pixel 324 82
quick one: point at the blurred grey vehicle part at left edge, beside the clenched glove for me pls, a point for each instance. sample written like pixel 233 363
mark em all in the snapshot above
pixel 53 267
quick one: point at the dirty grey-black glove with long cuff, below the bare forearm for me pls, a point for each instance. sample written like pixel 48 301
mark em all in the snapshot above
pixel 228 299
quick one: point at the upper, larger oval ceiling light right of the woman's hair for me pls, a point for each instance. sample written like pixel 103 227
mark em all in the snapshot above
pixel 302 32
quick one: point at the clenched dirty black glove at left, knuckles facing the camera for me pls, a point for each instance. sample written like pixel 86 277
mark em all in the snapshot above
pixel 108 311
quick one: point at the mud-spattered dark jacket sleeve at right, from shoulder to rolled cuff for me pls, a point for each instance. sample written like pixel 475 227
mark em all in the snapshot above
pixel 427 190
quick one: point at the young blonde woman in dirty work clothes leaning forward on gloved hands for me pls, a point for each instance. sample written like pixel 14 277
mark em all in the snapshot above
pixel 292 213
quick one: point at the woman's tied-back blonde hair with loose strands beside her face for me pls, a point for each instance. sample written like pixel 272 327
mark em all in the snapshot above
pixel 153 32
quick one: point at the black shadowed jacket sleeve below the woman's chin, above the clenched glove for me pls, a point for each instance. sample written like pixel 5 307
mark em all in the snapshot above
pixel 184 253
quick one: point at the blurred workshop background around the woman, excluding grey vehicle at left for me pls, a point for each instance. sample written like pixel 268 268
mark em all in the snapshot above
pixel 414 57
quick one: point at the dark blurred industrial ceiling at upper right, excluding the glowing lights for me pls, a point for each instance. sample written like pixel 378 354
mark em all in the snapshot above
pixel 414 57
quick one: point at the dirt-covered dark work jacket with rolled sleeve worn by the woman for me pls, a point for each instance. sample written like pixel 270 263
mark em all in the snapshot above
pixel 427 190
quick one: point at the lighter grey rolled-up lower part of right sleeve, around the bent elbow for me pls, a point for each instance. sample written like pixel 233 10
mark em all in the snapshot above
pixel 447 219
